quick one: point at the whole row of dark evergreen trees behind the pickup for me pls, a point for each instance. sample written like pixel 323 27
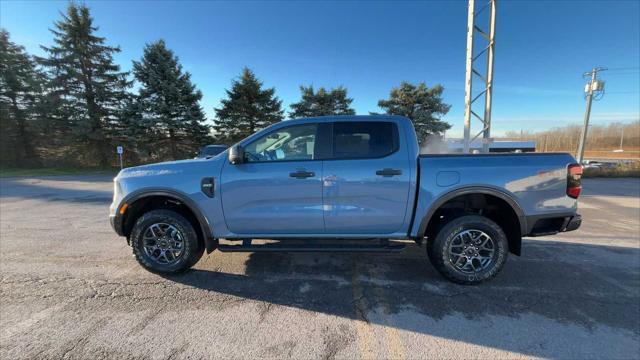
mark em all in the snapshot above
pixel 74 105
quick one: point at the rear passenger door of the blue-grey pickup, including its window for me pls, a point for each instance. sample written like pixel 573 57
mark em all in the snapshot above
pixel 366 179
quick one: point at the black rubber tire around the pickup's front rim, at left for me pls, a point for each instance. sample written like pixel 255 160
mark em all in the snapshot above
pixel 193 250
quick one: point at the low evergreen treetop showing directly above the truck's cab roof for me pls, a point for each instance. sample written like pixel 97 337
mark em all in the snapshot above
pixel 322 102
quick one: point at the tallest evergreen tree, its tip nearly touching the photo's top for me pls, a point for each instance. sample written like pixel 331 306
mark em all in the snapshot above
pixel 86 86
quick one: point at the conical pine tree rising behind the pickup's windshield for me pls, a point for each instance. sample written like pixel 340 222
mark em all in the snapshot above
pixel 247 109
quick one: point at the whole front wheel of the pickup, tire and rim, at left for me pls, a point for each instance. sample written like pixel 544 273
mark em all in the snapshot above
pixel 164 241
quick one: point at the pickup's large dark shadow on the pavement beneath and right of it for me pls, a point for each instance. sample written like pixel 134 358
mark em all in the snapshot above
pixel 400 290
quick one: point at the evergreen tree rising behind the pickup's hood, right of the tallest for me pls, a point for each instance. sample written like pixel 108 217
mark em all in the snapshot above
pixel 168 115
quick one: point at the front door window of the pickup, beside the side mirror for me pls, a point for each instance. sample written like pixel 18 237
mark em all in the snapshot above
pixel 290 143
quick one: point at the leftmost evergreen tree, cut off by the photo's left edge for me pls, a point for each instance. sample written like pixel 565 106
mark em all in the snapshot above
pixel 20 90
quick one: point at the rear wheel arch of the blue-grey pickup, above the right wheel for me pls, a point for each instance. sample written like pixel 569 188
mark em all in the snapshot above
pixel 427 224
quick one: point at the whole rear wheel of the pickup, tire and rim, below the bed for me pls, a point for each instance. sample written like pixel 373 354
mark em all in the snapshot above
pixel 469 250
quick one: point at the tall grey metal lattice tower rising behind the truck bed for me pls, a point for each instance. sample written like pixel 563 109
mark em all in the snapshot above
pixel 487 78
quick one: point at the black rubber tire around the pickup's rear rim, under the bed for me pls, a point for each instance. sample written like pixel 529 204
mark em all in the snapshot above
pixel 438 249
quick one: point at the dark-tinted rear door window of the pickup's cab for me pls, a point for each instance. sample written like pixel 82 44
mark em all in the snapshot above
pixel 366 139
